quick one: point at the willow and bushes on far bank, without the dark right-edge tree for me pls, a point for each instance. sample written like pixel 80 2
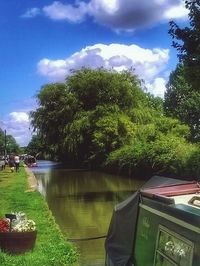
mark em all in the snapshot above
pixel 104 118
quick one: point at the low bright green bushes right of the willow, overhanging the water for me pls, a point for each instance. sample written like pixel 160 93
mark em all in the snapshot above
pixel 167 155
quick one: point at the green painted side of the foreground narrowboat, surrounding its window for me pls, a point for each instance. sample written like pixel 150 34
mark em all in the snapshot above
pixel 146 239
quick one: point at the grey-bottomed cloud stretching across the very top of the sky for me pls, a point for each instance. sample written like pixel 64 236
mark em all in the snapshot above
pixel 120 15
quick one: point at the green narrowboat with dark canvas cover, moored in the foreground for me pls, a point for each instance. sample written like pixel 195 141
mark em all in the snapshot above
pixel 159 225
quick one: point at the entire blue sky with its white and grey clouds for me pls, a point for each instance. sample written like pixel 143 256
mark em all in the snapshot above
pixel 42 40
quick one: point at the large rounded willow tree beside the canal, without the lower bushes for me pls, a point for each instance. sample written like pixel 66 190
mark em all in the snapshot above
pixel 83 119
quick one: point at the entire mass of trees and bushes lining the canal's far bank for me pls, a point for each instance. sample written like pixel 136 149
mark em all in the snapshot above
pixel 99 118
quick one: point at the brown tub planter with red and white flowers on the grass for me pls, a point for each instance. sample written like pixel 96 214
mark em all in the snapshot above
pixel 17 233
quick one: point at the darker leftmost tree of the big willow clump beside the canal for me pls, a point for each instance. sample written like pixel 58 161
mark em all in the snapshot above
pixel 56 109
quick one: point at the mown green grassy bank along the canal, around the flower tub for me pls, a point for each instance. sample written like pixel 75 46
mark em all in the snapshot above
pixel 51 249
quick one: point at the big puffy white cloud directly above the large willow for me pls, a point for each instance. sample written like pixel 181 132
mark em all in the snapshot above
pixel 148 64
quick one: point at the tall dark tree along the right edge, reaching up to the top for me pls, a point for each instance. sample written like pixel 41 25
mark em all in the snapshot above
pixel 182 98
